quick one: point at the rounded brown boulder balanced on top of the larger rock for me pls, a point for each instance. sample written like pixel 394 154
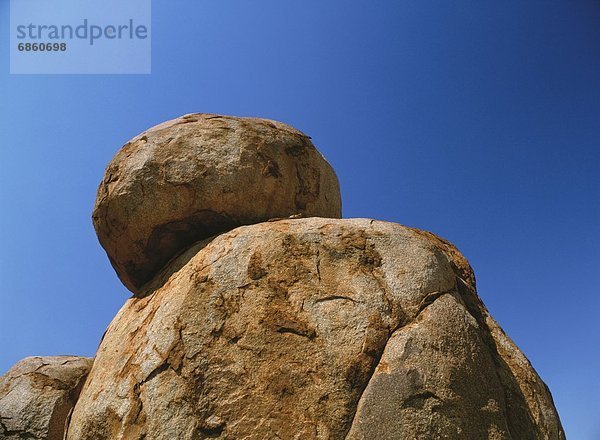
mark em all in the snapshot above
pixel 199 175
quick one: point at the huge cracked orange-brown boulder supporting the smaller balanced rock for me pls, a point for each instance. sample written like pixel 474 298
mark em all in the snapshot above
pixel 312 329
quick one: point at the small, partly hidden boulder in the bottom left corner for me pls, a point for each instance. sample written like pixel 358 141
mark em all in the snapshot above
pixel 38 394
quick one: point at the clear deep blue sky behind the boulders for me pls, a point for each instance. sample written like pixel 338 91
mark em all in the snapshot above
pixel 477 120
